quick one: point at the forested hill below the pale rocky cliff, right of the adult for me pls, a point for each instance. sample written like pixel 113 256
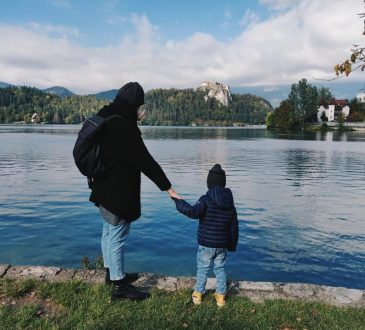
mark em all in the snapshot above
pixel 187 106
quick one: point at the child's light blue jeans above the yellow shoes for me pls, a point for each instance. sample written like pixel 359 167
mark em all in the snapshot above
pixel 206 256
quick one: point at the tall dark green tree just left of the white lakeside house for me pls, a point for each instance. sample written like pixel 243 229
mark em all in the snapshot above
pixel 304 99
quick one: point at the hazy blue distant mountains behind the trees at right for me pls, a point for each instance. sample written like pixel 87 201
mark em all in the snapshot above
pixel 276 93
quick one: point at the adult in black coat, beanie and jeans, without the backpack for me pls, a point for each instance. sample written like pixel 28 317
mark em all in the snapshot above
pixel 118 193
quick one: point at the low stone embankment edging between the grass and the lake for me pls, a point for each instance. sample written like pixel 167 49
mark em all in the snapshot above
pixel 257 291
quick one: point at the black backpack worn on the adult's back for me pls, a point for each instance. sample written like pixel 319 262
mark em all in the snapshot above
pixel 87 152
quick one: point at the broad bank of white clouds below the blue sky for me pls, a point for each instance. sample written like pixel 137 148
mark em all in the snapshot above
pixel 302 42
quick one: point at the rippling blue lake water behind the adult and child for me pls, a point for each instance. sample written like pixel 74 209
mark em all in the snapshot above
pixel 300 202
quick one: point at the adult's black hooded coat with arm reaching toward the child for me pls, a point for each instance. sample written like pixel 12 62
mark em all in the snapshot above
pixel 124 150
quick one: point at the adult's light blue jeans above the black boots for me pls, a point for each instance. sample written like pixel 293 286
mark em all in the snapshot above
pixel 115 232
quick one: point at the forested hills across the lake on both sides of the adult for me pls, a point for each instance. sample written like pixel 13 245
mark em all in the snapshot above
pixel 163 107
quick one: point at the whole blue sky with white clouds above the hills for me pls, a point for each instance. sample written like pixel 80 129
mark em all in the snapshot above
pixel 90 46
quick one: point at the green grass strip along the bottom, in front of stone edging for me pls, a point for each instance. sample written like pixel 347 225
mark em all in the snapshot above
pixel 32 304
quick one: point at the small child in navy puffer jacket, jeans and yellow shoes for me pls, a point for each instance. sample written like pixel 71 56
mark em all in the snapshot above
pixel 217 233
